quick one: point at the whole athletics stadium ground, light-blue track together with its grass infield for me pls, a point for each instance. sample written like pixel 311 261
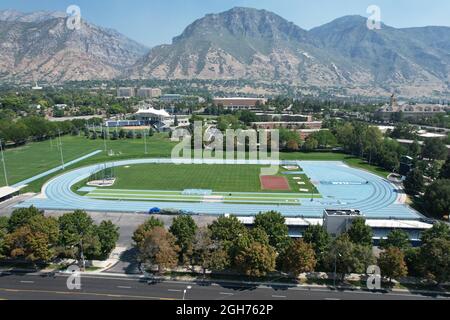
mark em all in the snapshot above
pixel 300 189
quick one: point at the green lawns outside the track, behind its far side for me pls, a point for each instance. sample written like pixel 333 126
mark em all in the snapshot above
pixel 37 157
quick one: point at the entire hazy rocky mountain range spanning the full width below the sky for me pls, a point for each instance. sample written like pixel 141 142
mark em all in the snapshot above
pixel 241 43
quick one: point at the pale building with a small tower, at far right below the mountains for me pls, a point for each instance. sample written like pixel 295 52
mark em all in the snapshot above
pixel 395 110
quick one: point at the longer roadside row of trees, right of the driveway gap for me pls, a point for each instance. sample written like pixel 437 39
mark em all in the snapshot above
pixel 227 245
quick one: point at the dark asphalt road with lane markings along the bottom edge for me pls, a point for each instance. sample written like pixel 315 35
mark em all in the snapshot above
pixel 38 287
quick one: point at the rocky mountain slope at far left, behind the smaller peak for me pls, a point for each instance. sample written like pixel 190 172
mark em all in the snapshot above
pixel 40 47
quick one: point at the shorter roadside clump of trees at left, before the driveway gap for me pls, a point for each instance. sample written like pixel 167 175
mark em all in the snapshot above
pixel 29 235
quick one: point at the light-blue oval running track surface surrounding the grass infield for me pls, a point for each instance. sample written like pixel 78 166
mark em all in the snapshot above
pixel 342 187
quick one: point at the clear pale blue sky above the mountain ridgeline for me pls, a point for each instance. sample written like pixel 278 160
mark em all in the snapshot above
pixel 154 22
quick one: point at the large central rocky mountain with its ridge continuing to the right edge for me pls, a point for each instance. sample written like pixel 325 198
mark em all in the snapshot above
pixel 257 44
